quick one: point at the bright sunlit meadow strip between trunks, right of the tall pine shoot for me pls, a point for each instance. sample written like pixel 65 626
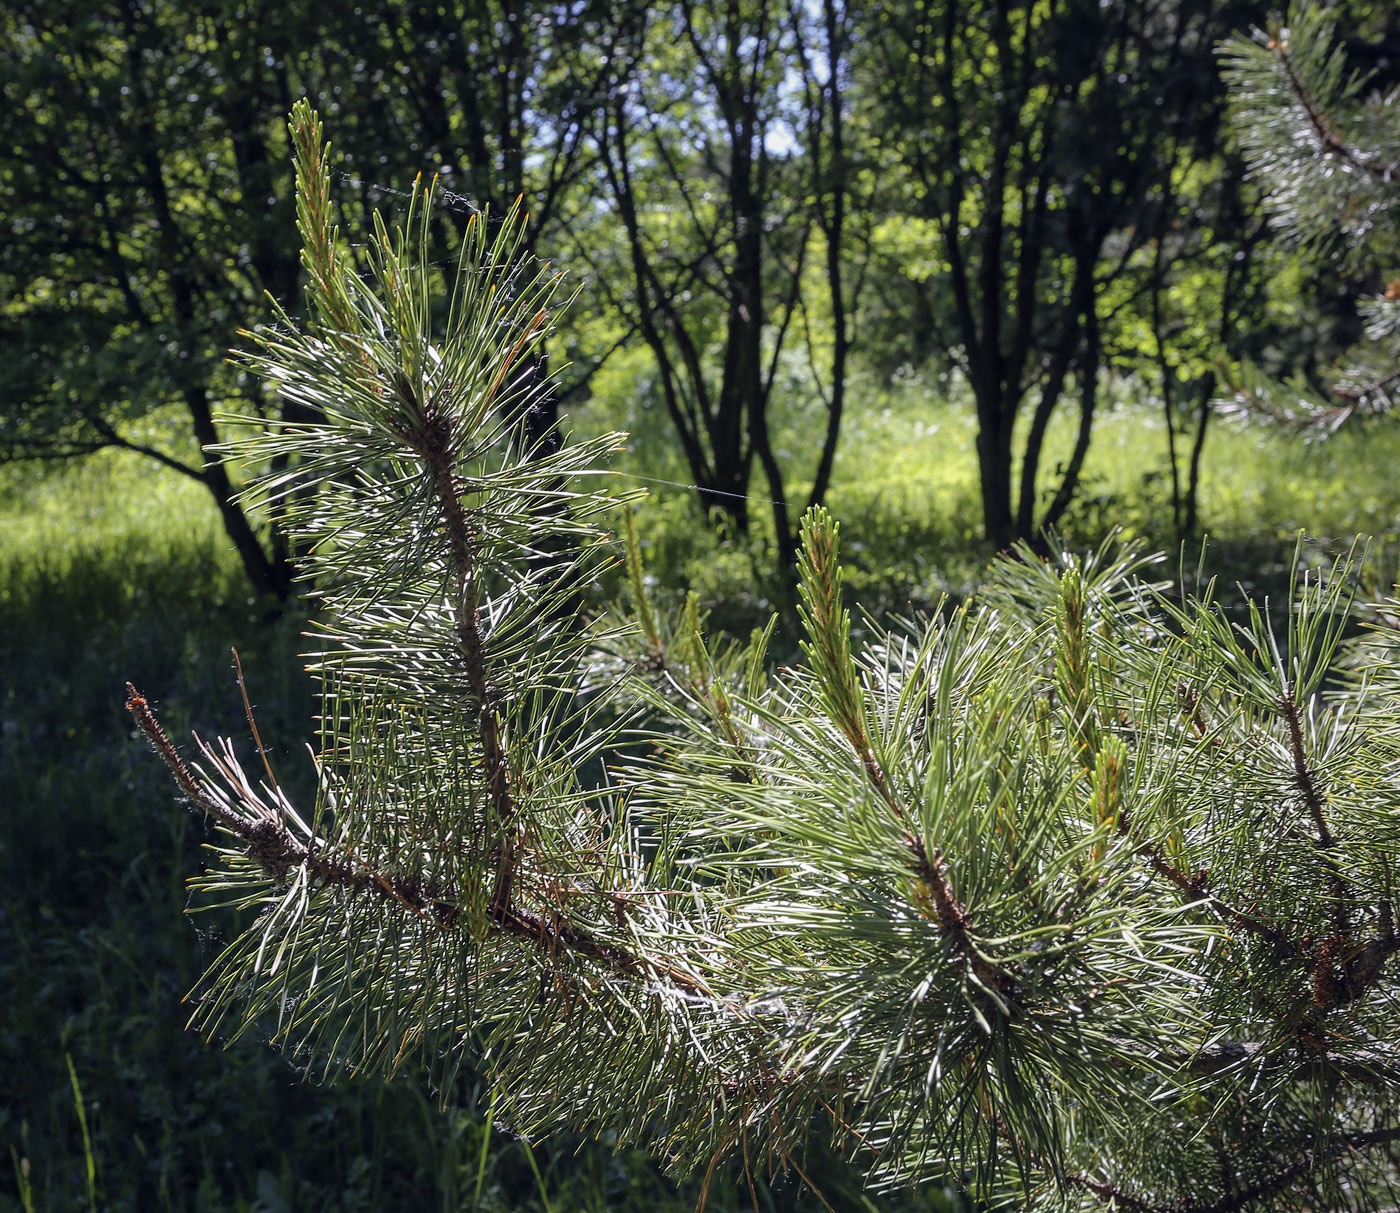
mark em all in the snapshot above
pixel 905 488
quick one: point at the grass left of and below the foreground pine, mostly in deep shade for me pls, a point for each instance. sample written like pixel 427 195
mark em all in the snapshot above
pixel 110 574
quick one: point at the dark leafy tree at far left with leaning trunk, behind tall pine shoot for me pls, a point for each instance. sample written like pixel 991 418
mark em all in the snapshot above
pixel 146 186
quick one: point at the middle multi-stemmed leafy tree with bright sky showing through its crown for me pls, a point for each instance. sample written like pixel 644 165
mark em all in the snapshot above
pixel 724 151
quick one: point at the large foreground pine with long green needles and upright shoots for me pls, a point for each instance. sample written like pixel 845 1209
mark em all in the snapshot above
pixel 1077 893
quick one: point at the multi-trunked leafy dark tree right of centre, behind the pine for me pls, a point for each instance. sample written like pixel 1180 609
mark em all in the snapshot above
pixel 1039 142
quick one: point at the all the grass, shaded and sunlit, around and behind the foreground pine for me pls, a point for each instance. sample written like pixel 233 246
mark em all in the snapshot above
pixel 110 571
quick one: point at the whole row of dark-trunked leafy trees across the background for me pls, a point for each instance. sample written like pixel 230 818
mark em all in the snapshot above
pixel 768 198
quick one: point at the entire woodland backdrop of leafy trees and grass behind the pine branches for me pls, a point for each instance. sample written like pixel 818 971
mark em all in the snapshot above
pixel 961 270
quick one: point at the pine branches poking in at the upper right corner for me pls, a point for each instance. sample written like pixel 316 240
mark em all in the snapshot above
pixel 1325 148
